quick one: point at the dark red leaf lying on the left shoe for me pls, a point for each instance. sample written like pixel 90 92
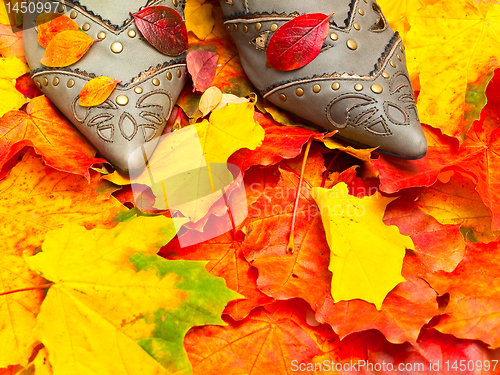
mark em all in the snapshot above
pixel 163 28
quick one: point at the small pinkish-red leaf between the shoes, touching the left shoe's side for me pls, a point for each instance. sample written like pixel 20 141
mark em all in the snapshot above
pixel 202 66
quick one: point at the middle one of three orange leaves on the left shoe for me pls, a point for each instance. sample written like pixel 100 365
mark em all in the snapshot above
pixel 66 48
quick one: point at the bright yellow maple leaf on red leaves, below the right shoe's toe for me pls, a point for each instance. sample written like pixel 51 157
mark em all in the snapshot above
pixel 366 255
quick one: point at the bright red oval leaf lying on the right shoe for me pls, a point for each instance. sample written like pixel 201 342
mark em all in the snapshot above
pixel 298 41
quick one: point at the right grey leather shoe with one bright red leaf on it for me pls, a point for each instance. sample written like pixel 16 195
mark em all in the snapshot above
pixel 387 120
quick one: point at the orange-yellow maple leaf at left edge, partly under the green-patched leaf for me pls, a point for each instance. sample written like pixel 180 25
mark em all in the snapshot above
pixel 33 202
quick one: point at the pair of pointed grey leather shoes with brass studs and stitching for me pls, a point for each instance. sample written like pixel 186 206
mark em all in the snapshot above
pixel 358 84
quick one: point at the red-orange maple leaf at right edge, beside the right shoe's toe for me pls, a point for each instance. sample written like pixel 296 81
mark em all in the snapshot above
pixel 479 155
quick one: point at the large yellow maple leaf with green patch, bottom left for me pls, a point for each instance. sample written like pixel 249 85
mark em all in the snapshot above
pixel 117 308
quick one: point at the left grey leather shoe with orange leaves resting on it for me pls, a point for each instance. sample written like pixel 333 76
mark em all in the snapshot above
pixel 115 130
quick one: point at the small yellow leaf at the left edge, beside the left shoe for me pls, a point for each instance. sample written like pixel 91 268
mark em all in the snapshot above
pixel 10 69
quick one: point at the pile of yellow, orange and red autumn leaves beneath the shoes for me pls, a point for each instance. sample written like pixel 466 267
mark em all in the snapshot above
pixel 369 258
